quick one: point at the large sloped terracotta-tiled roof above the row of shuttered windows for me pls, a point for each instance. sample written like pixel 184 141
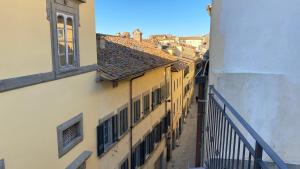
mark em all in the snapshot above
pixel 122 58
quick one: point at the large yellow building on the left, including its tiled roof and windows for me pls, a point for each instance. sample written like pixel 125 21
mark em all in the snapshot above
pixel 75 101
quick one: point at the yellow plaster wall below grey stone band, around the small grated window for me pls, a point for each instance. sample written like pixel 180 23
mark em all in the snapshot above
pixel 34 113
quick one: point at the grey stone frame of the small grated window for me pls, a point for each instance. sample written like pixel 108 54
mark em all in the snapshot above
pixel 63 149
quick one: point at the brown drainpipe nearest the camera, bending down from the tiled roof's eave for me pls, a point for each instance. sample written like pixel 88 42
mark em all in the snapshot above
pixel 130 117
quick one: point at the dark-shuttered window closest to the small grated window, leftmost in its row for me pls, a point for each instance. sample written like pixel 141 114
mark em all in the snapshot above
pixel 107 134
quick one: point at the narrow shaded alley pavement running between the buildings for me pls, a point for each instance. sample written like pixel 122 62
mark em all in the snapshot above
pixel 183 156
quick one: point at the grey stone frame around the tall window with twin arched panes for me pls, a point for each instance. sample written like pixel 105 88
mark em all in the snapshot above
pixel 70 8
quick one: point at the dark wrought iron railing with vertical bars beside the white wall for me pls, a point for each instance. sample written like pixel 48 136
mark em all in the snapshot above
pixel 231 143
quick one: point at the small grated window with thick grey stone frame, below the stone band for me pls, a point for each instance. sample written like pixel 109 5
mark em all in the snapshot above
pixel 69 134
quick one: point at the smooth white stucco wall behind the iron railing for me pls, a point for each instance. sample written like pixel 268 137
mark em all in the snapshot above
pixel 254 61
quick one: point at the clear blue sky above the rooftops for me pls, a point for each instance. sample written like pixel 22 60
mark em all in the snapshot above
pixel 177 17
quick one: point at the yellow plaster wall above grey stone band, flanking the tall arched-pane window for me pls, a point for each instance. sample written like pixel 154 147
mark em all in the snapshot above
pixel 26 37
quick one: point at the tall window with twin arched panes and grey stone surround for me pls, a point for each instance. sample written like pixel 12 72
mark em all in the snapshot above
pixel 64 25
